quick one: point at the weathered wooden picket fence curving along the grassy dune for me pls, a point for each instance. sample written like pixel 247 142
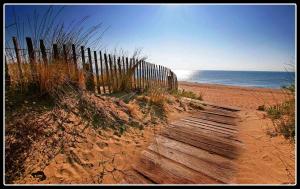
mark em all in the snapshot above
pixel 106 73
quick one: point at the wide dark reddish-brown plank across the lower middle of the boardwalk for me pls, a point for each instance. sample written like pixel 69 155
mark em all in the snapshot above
pixel 200 143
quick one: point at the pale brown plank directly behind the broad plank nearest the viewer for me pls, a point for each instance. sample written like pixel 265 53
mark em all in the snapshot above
pixel 210 169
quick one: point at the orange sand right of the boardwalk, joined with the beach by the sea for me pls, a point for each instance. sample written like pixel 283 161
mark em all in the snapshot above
pixel 265 159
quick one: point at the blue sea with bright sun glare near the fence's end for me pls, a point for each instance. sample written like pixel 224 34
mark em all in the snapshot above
pixel 261 79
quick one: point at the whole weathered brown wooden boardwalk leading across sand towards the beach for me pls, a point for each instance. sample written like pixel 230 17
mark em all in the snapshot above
pixel 198 149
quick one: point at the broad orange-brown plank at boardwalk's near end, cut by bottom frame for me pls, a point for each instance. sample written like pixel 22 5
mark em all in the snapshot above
pixel 164 171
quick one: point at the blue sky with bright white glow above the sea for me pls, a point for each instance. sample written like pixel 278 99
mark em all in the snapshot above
pixel 193 37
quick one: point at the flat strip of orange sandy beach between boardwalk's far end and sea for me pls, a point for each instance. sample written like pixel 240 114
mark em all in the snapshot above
pixel 243 97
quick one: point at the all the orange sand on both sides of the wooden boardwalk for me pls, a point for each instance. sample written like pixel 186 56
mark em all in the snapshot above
pixel 100 156
